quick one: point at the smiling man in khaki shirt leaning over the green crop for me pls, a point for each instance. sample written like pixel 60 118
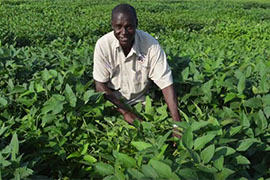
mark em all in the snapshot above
pixel 126 59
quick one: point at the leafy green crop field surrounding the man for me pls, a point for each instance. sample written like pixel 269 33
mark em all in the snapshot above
pixel 53 125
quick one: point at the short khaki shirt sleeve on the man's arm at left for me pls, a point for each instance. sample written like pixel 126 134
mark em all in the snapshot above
pixel 100 70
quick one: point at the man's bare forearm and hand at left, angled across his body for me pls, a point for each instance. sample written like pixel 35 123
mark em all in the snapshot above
pixel 128 116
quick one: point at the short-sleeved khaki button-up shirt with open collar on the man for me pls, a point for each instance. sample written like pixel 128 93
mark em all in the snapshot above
pixel 129 77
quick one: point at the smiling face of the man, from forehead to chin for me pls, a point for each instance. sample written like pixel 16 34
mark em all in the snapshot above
pixel 124 27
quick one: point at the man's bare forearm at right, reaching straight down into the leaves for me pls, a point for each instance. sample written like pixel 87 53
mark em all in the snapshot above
pixel 171 100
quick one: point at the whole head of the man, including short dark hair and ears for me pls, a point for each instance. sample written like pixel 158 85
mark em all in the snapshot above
pixel 124 23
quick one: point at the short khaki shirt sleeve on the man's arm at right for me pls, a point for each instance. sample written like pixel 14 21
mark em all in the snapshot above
pixel 160 71
